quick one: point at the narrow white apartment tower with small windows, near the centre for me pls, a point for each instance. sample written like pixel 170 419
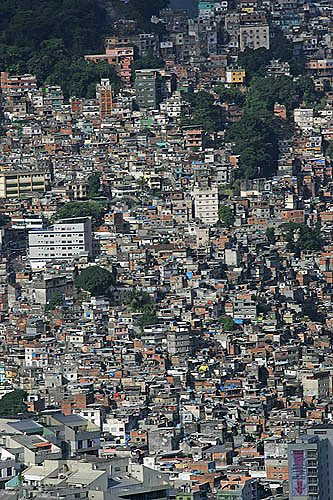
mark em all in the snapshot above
pixel 206 204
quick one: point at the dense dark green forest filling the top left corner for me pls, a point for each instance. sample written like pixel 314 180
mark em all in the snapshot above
pixel 50 37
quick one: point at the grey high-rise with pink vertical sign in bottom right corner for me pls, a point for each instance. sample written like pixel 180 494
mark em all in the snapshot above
pixel 308 468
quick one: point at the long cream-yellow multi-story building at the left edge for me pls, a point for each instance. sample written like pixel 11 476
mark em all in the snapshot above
pixel 23 183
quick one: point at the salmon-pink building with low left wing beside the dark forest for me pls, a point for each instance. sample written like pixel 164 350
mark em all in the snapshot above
pixel 119 57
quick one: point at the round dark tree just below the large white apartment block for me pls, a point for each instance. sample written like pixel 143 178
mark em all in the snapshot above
pixel 94 279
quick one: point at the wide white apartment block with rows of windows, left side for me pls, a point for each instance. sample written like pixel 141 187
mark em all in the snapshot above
pixel 66 240
